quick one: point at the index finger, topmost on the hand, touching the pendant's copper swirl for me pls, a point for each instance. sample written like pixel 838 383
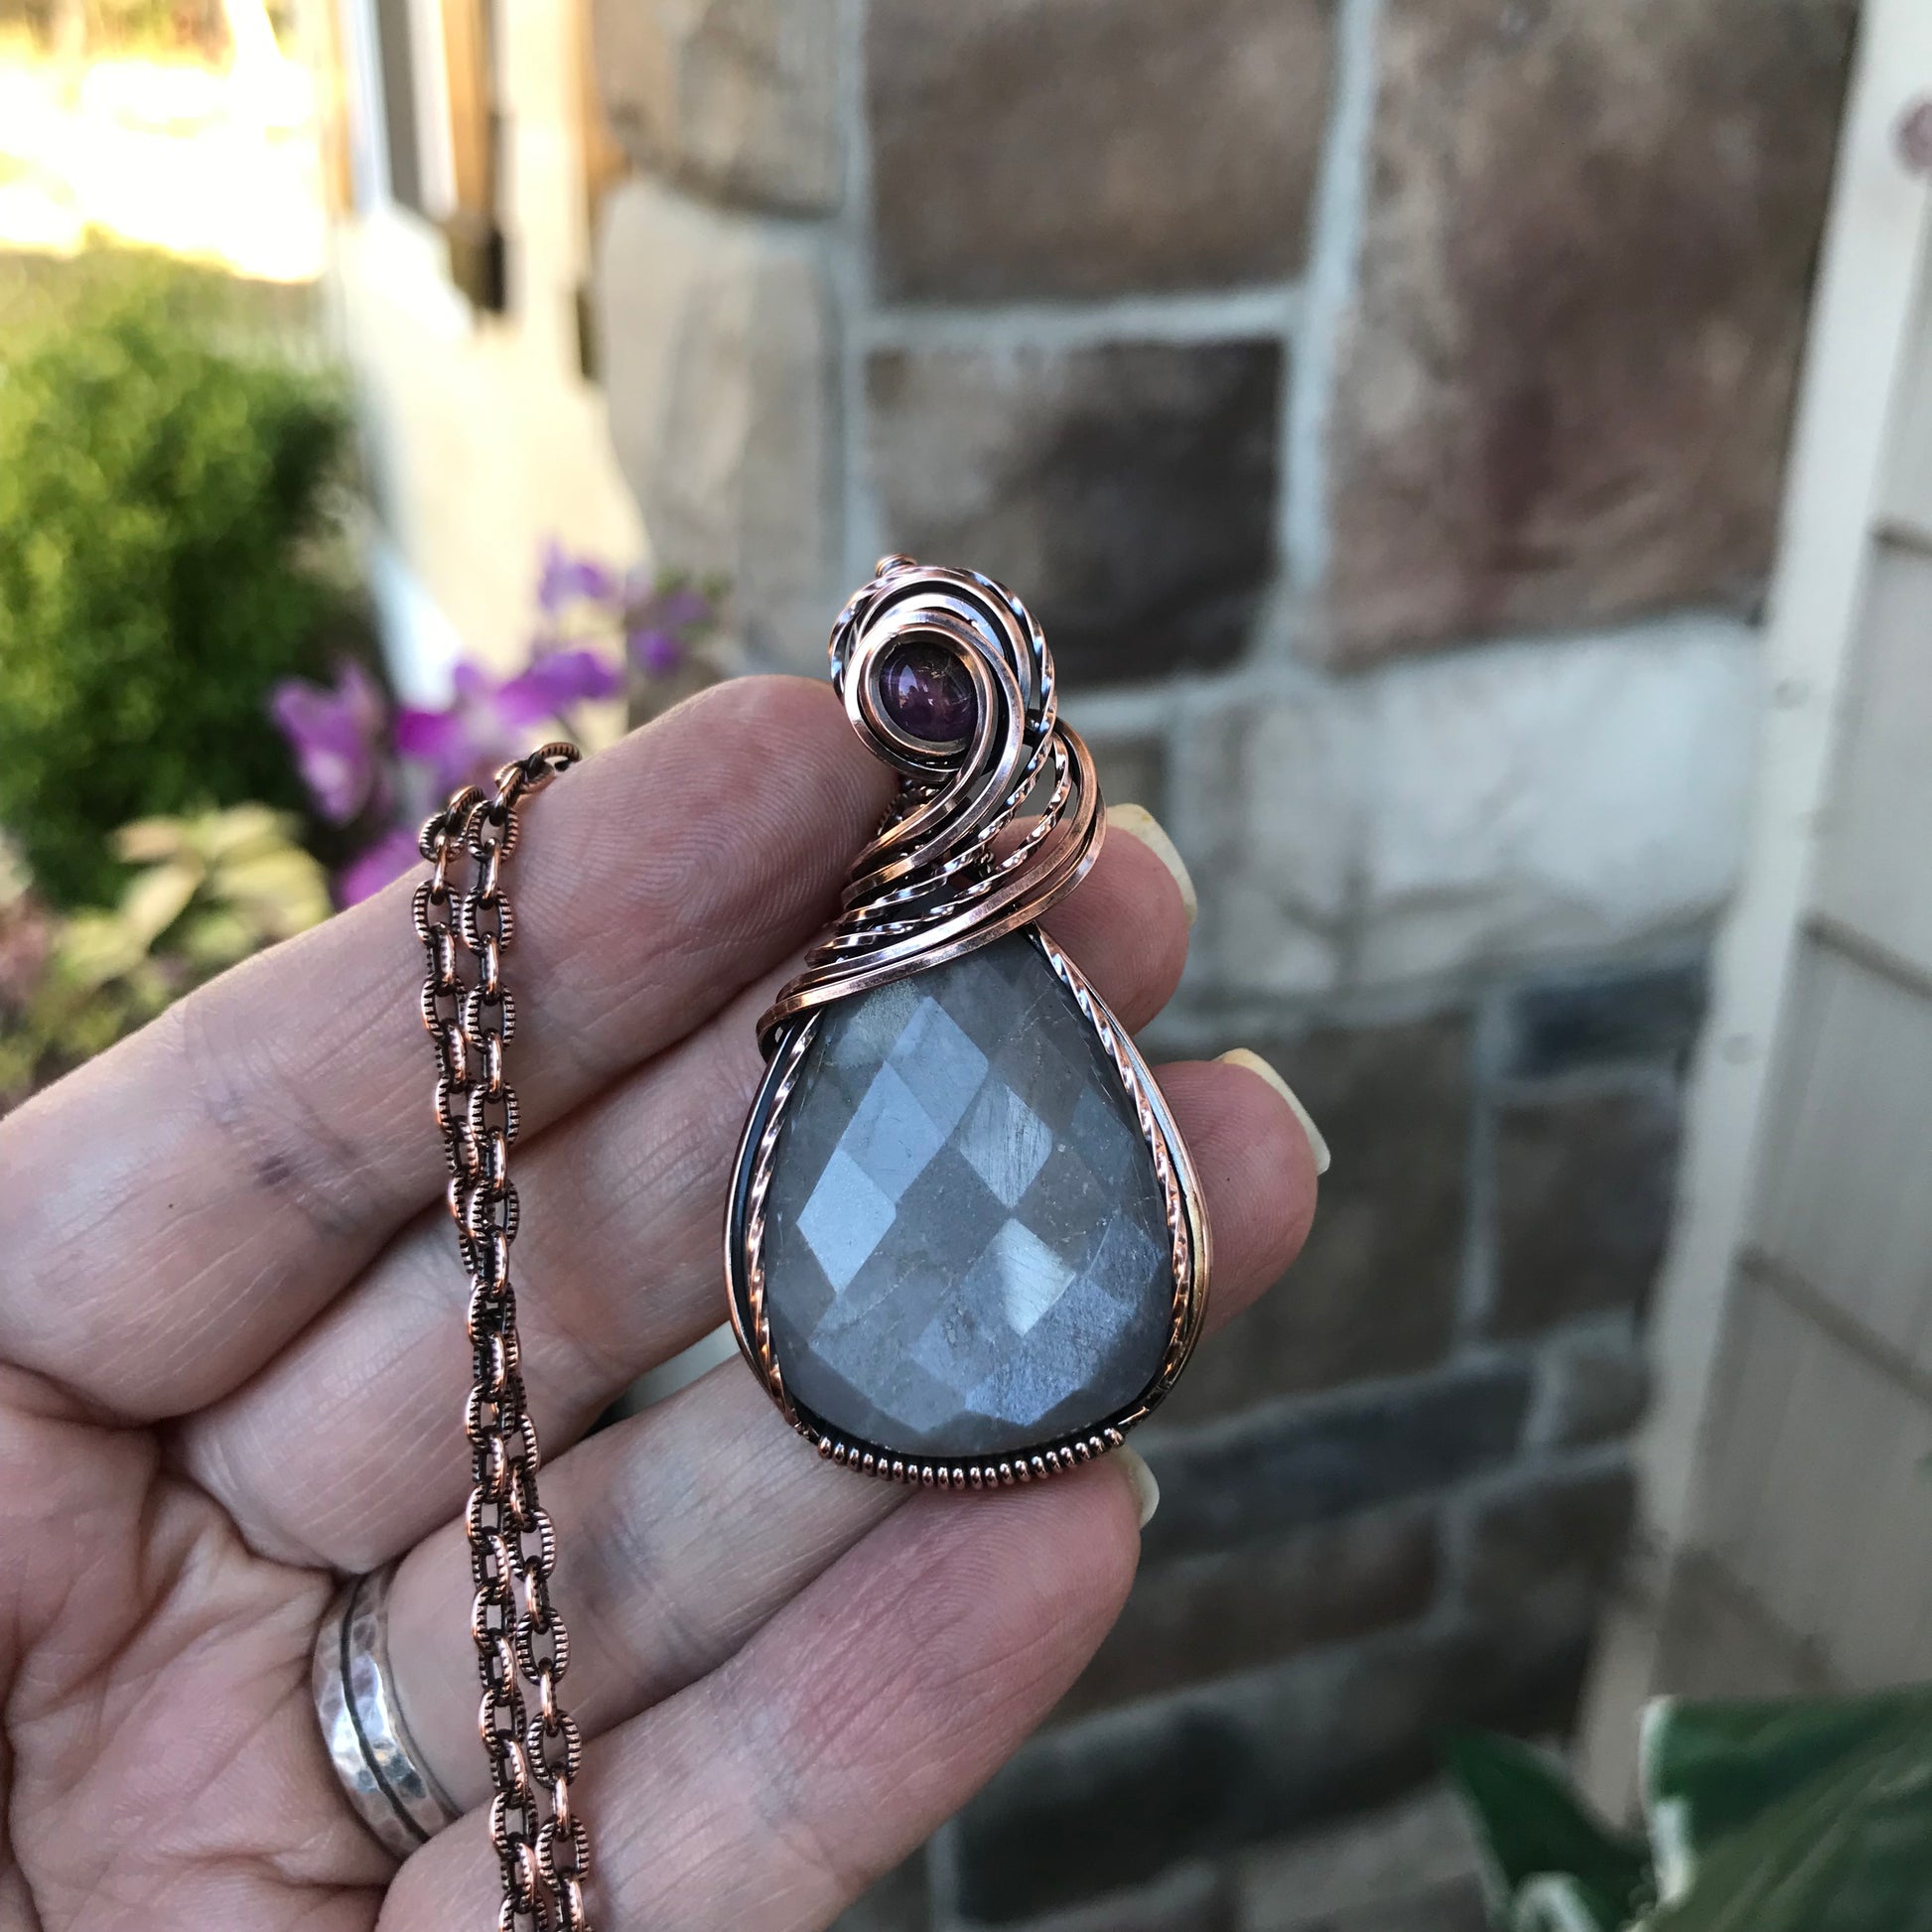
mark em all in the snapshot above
pixel 183 1207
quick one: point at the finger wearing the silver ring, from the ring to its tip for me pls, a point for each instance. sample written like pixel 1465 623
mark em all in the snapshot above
pixel 689 1527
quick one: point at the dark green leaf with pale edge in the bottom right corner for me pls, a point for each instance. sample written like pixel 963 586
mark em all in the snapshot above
pixel 1794 1817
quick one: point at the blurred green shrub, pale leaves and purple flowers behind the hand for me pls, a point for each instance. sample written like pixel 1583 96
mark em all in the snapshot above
pixel 204 751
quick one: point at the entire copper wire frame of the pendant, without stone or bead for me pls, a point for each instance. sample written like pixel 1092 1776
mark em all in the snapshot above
pixel 955 868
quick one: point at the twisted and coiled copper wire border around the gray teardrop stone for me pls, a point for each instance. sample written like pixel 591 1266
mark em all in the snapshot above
pixel 1187 1226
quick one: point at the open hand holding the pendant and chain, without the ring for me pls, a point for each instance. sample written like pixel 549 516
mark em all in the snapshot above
pixel 233 1365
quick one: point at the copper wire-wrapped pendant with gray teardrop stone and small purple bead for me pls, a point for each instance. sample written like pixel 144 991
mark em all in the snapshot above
pixel 965 1241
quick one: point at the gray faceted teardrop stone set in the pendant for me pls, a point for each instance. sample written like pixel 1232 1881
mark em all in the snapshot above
pixel 967 1247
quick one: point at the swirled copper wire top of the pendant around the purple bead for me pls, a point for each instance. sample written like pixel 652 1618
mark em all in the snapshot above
pixel 940 878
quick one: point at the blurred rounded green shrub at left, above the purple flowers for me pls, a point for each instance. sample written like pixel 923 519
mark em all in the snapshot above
pixel 165 509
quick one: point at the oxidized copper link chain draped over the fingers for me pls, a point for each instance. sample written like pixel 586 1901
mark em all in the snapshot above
pixel 465 923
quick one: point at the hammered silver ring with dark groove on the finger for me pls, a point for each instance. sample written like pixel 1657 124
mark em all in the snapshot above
pixel 376 1759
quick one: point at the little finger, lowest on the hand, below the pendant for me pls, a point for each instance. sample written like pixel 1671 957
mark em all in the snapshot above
pixel 874 1705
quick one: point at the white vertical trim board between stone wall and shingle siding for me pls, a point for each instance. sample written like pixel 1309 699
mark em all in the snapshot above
pixel 1873 262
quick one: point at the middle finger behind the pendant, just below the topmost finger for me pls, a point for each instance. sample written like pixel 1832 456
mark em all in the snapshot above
pixel 345 1450
